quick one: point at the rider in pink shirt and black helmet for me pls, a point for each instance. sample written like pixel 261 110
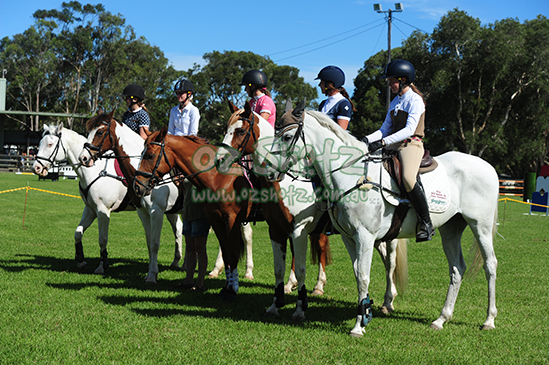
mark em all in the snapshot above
pixel 261 102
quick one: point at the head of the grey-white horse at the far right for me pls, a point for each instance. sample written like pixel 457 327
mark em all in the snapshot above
pixel 288 140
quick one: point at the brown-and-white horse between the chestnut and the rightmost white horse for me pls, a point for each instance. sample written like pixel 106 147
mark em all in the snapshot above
pixel 295 216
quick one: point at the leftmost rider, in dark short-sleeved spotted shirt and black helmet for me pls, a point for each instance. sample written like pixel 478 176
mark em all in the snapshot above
pixel 136 117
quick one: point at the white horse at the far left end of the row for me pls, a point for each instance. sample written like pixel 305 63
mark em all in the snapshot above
pixel 101 189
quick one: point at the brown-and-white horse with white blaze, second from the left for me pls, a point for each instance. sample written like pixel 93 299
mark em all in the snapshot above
pixel 106 134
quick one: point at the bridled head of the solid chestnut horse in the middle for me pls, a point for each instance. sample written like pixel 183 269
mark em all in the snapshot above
pixel 154 163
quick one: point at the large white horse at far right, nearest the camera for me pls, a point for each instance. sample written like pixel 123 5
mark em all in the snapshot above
pixel 462 191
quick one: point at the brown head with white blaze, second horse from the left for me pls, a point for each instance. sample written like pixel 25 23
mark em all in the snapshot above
pixel 101 138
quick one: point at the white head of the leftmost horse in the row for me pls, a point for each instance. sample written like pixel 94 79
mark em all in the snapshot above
pixel 50 149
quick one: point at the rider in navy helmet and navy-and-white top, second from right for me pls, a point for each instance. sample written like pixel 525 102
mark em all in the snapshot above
pixel 338 106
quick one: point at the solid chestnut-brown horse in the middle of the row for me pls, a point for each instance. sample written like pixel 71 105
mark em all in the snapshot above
pixel 224 194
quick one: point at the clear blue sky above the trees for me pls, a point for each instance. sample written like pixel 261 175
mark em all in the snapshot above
pixel 307 35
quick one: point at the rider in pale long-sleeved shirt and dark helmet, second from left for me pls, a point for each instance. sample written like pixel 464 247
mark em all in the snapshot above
pixel 184 117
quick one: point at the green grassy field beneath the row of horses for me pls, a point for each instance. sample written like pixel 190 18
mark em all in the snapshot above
pixel 51 314
